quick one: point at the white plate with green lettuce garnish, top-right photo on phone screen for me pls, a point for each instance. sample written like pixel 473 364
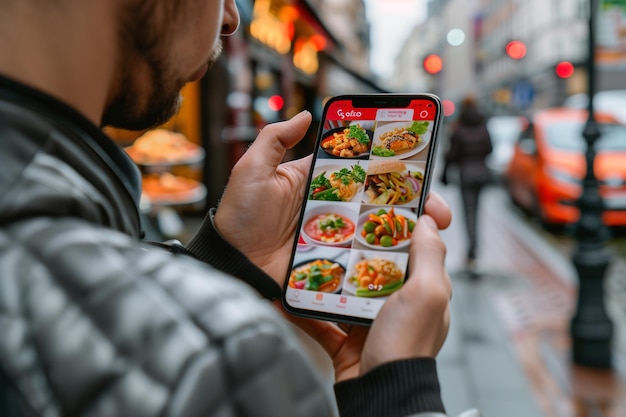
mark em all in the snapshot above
pixel 400 139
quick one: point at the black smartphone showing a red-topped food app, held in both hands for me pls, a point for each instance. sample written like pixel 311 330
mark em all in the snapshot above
pixel 371 170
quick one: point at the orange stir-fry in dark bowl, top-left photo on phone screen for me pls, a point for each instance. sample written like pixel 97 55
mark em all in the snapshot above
pixel 347 142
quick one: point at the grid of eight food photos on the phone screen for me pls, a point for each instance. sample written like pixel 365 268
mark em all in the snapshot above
pixel 361 210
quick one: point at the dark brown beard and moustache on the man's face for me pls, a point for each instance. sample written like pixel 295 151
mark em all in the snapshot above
pixel 146 103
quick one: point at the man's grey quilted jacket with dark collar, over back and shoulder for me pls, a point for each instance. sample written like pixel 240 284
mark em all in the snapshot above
pixel 95 322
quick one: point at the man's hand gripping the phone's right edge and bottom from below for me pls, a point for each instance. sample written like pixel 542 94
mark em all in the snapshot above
pixel 413 322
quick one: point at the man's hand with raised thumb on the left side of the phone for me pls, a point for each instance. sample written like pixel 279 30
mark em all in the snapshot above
pixel 259 210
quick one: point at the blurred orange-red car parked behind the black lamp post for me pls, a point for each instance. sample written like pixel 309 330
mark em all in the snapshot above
pixel 544 176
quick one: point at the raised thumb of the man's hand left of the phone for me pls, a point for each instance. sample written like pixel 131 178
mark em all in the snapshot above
pixel 274 139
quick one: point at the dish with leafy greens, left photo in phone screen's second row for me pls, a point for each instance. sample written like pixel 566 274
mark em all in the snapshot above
pixel 336 183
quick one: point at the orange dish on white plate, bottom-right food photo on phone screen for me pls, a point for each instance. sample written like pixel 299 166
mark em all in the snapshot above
pixel 375 277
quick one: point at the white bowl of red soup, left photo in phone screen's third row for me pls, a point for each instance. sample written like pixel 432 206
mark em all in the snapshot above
pixel 329 225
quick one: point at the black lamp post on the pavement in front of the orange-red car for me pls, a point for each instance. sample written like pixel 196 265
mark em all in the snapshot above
pixel 591 328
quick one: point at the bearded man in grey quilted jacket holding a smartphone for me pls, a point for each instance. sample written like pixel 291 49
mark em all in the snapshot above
pixel 94 321
